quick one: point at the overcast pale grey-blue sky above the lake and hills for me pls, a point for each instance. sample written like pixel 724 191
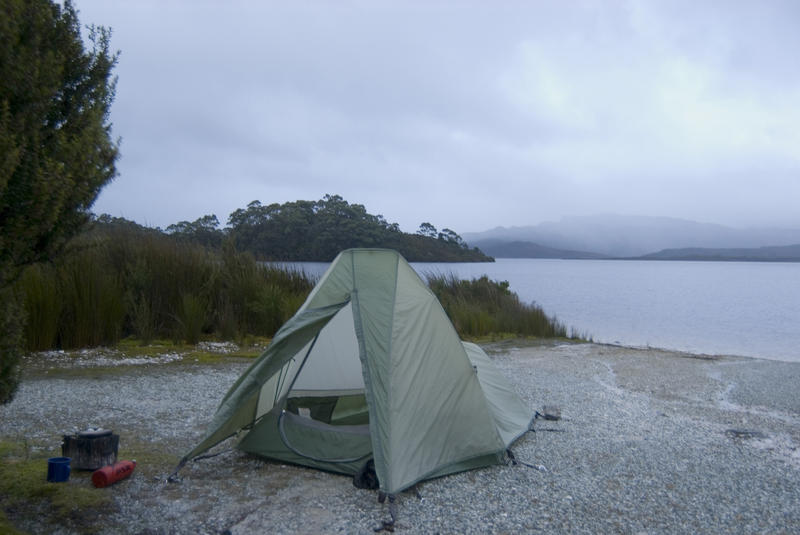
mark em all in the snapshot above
pixel 467 115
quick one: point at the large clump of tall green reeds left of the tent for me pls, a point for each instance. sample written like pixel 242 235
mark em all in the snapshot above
pixel 126 284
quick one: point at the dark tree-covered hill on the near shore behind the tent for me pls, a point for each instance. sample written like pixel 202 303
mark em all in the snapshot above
pixel 317 231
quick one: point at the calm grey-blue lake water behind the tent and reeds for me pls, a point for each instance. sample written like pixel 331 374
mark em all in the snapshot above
pixel 734 308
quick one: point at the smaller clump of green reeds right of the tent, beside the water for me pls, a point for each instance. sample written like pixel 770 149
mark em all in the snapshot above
pixel 482 307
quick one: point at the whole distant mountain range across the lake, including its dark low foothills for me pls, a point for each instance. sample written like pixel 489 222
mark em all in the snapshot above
pixel 662 238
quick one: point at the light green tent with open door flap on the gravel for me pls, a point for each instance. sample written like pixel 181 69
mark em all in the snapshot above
pixel 370 367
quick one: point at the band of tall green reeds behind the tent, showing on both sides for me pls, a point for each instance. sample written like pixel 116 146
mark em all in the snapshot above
pixel 123 281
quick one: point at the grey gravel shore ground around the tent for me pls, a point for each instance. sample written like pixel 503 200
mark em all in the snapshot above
pixel 649 442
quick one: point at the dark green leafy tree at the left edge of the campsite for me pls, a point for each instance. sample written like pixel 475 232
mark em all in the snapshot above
pixel 56 150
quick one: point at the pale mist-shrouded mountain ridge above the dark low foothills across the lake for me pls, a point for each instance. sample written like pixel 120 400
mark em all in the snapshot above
pixel 628 236
